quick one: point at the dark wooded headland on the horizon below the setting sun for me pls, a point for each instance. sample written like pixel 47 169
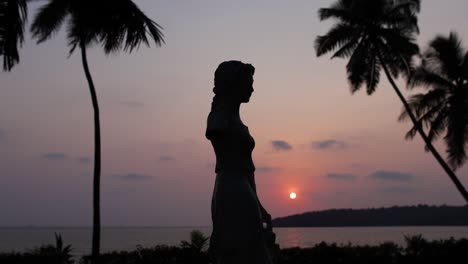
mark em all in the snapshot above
pixel 421 215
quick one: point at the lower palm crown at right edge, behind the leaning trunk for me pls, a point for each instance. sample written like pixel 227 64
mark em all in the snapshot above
pixel 443 108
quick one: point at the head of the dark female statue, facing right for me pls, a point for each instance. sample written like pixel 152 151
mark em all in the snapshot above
pixel 234 81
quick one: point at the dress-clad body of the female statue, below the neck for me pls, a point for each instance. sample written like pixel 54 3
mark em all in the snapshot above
pixel 238 234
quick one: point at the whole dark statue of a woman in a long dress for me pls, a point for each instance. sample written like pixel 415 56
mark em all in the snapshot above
pixel 242 231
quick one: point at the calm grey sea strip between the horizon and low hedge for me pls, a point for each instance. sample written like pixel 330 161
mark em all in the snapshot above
pixel 126 238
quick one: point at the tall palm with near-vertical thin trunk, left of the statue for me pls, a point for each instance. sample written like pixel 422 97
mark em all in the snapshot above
pixel 116 25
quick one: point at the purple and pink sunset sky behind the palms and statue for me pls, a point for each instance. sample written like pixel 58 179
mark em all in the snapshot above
pixel 333 149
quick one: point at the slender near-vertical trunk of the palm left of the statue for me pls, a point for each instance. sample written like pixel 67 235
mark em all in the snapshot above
pixel 97 162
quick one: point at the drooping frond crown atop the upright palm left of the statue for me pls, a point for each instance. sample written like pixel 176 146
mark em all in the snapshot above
pixel 116 24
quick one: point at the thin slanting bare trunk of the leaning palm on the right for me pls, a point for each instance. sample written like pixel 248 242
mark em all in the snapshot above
pixel 420 130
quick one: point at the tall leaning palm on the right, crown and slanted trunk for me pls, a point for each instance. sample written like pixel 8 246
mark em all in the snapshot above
pixel 375 35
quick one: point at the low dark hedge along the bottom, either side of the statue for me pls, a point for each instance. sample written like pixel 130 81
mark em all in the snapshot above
pixel 416 250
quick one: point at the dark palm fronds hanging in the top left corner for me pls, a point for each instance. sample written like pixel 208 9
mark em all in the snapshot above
pixel 13 16
